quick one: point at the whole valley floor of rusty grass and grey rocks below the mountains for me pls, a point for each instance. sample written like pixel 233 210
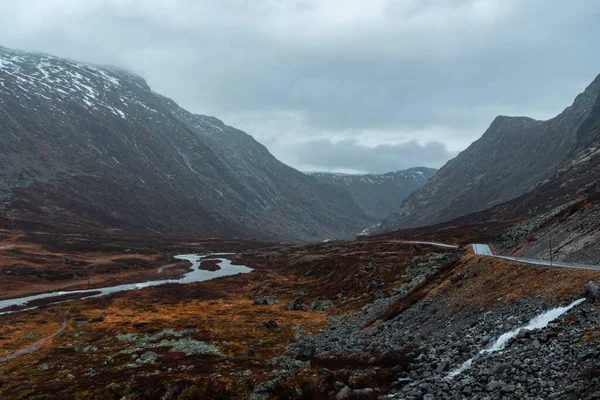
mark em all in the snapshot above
pixel 364 319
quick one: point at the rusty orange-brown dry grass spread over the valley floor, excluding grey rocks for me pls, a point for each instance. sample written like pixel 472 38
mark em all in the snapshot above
pixel 222 313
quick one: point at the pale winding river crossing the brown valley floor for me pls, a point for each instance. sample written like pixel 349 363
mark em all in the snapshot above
pixel 195 275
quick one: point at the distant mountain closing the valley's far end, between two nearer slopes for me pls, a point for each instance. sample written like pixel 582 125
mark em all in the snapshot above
pixel 378 195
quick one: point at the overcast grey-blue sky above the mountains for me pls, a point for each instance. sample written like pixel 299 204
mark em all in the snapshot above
pixel 341 85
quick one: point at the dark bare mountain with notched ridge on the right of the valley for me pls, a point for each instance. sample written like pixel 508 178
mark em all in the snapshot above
pixel 516 156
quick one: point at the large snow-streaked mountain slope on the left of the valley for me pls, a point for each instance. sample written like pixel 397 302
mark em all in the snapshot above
pixel 95 147
